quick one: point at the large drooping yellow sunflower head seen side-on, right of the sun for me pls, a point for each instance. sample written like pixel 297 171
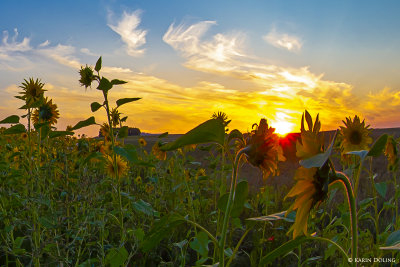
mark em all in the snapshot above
pixel 311 183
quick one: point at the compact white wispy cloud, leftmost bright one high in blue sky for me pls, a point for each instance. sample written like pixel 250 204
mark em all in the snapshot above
pixel 127 28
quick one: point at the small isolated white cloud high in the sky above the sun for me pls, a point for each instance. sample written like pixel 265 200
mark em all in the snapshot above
pixel 283 40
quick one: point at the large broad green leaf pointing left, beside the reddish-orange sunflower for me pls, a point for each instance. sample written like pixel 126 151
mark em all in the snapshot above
pixel 210 131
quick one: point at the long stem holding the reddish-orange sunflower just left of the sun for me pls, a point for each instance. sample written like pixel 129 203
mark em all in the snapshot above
pixel 229 206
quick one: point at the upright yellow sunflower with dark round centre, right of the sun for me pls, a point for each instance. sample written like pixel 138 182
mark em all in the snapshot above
pixel 355 135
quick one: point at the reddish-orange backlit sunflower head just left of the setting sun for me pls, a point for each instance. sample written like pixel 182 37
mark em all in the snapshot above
pixel 264 150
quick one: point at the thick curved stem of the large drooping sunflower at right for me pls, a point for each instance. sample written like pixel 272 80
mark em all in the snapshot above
pixel 341 177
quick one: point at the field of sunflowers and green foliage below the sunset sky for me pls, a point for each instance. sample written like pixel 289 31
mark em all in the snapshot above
pixel 68 201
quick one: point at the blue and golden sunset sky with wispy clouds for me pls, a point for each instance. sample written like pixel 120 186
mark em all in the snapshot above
pixel 189 59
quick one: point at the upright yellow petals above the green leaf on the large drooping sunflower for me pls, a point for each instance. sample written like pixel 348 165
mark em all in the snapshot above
pixel 311 141
